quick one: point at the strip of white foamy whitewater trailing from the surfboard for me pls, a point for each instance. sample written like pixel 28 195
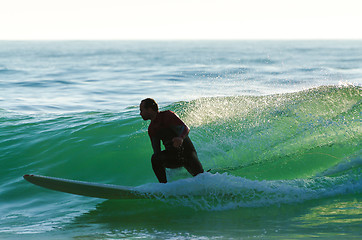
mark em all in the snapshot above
pixel 216 192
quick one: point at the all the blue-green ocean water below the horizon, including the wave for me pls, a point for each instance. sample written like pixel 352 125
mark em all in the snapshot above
pixel 277 122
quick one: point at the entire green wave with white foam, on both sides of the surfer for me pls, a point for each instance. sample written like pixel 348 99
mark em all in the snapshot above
pixel 262 150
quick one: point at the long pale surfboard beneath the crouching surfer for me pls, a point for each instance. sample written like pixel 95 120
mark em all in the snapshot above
pixel 88 189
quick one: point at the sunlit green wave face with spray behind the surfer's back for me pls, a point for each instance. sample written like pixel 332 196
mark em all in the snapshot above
pixel 285 136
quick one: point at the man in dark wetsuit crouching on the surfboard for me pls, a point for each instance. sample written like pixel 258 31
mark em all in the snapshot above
pixel 167 127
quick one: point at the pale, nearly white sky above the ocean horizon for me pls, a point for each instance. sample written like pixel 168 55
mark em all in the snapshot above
pixel 180 19
